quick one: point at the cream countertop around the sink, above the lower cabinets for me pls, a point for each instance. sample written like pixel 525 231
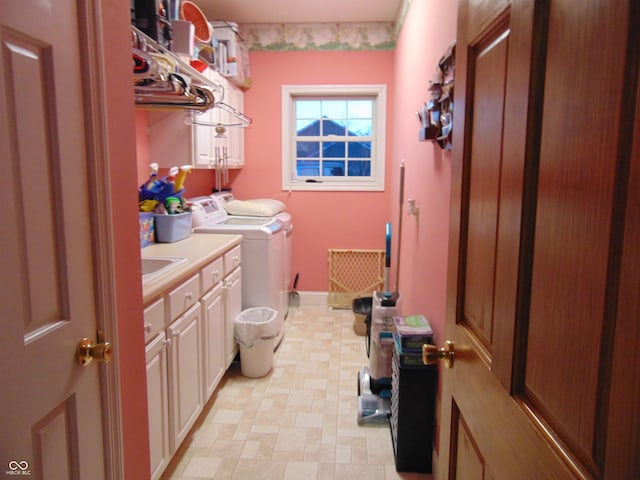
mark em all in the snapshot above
pixel 199 249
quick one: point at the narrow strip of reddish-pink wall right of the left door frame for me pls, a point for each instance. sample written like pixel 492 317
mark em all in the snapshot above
pixel 126 243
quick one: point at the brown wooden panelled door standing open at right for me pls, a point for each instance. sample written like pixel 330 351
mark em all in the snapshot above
pixel 544 269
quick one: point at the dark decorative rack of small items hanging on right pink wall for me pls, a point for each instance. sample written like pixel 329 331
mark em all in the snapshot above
pixel 436 116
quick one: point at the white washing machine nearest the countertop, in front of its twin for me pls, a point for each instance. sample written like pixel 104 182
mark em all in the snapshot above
pixel 263 240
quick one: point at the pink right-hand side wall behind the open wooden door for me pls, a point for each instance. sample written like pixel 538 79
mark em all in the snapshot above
pixel 429 28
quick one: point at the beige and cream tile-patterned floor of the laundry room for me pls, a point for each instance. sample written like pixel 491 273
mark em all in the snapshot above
pixel 298 422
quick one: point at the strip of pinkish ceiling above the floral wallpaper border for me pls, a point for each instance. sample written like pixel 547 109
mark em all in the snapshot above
pixel 300 11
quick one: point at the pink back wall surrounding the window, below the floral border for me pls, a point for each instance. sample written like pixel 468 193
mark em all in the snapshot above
pixel 322 220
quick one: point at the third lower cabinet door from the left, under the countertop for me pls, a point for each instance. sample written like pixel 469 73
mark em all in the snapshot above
pixel 213 340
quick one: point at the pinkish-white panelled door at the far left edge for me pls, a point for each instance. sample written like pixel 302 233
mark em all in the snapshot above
pixel 51 409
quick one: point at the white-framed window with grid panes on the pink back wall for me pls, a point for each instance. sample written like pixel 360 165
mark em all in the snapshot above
pixel 333 137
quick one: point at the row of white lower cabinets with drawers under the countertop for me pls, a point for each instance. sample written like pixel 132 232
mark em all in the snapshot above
pixel 189 334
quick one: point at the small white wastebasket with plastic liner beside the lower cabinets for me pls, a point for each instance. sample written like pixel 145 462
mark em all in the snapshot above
pixel 255 330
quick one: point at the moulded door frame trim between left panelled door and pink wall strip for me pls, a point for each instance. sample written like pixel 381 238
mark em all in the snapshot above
pixel 98 162
